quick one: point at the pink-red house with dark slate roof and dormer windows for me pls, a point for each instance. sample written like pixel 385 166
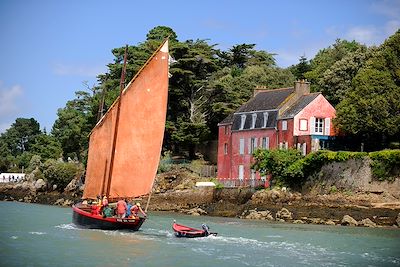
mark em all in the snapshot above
pixel 279 118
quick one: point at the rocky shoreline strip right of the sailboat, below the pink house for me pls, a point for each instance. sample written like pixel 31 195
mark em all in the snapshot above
pixel 275 205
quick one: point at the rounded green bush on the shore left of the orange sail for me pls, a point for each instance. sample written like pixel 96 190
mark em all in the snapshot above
pixel 60 173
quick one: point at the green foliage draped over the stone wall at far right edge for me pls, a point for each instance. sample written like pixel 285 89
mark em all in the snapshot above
pixel 385 164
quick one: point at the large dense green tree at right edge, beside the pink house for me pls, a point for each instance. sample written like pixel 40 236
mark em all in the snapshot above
pixel 371 109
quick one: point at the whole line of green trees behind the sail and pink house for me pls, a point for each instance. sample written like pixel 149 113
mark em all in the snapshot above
pixel 207 84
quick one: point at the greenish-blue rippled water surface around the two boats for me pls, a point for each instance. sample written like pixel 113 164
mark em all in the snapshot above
pixel 40 235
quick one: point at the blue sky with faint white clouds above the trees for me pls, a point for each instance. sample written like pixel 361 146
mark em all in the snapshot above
pixel 51 49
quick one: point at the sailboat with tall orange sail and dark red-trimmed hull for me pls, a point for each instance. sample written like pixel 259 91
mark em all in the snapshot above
pixel 125 145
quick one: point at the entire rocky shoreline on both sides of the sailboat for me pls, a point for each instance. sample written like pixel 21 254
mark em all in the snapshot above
pixel 177 193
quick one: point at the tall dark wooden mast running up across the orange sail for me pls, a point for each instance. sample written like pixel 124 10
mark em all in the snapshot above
pixel 121 88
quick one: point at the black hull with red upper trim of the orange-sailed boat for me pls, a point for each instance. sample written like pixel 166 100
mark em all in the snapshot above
pixel 83 218
